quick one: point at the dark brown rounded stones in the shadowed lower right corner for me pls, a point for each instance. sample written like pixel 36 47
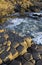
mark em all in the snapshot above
pixel 32 57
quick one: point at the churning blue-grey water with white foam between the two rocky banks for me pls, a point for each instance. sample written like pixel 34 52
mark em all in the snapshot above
pixel 26 26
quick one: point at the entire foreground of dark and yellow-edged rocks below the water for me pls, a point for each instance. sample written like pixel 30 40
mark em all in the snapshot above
pixel 17 50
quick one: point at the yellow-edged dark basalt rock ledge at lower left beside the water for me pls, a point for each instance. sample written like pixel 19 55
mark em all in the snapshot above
pixel 12 45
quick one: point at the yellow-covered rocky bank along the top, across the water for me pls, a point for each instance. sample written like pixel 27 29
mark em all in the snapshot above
pixel 14 6
